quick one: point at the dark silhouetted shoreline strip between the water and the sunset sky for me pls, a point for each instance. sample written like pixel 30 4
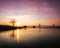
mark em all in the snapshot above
pixel 6 27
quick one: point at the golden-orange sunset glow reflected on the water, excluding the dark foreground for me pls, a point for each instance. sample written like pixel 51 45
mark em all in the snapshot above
pixel 28 34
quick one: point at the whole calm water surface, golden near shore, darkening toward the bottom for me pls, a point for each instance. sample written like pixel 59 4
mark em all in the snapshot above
pixel 30 37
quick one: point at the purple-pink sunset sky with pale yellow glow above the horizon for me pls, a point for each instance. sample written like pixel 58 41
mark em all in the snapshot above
pixel 30 12
